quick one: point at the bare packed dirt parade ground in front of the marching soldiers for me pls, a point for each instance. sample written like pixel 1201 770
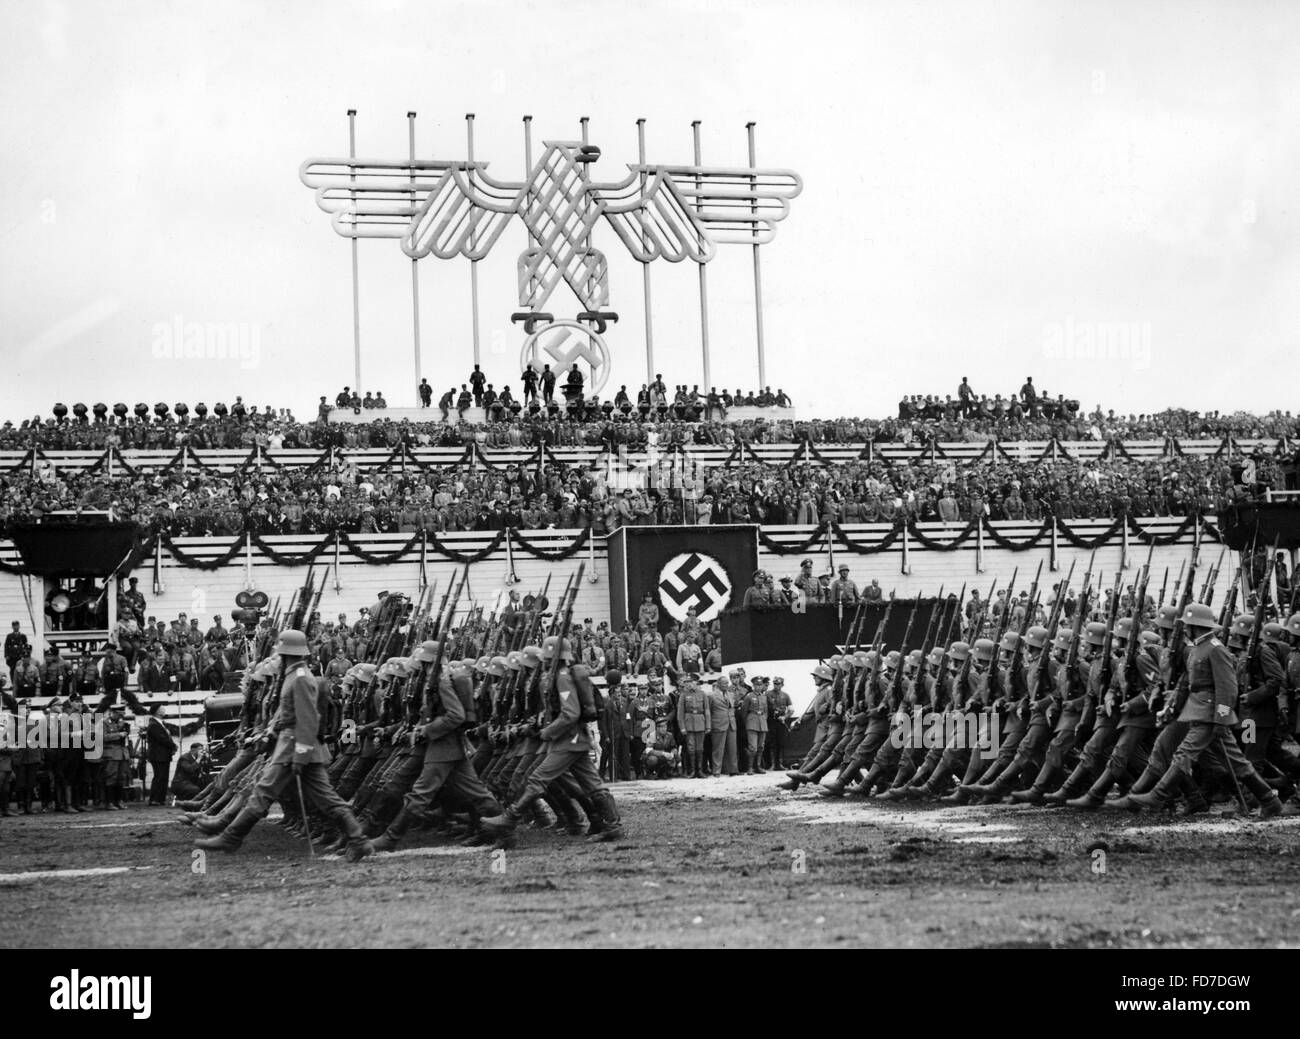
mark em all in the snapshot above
pixel 713 863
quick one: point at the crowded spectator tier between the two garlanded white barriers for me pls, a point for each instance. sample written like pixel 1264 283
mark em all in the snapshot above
pixel 393 500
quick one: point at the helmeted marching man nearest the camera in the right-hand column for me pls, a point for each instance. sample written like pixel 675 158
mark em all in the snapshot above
pixel 1207 702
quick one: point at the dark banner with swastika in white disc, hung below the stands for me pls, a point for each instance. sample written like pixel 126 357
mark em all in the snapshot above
pixel 678 570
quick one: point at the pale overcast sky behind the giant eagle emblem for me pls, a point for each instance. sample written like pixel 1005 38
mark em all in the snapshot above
pixel 991 189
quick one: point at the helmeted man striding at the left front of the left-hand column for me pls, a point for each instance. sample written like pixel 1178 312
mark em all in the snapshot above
pixel 298 760
